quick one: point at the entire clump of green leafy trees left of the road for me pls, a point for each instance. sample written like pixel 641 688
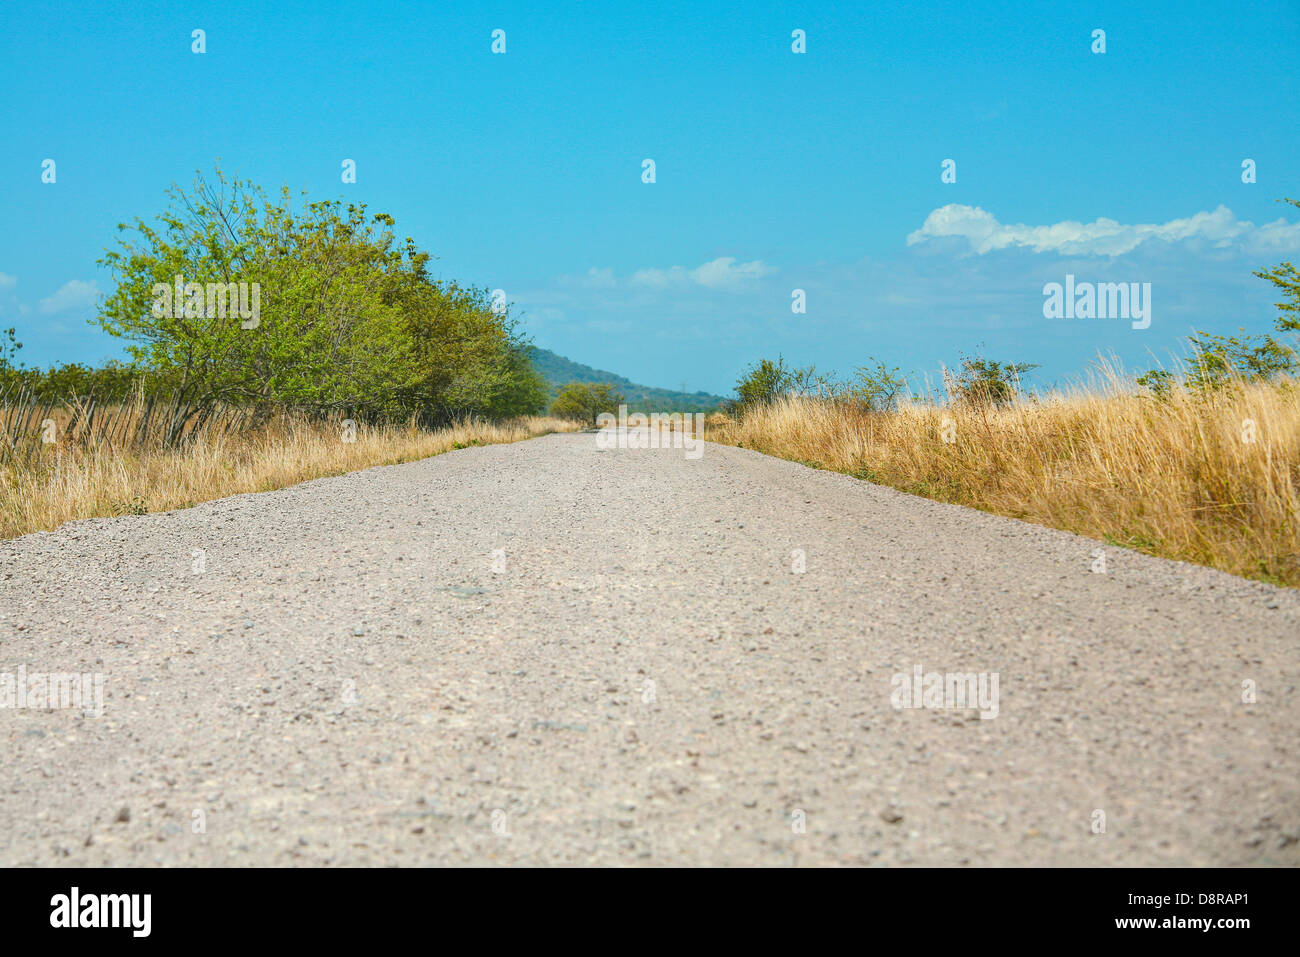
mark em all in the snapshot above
pixel 350 319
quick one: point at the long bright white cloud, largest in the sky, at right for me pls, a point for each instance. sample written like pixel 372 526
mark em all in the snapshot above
pixel 1103 237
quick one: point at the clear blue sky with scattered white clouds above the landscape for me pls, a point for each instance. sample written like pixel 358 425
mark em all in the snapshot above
pixel 775 171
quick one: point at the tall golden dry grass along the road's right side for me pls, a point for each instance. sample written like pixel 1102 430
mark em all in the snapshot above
pixel 1172 478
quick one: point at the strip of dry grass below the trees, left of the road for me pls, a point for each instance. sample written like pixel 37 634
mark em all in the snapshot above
pixel 115 462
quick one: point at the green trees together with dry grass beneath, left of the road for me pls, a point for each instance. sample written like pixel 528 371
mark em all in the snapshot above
pixel 270 343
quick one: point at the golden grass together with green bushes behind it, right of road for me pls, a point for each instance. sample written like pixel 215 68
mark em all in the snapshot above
pixel 1199 462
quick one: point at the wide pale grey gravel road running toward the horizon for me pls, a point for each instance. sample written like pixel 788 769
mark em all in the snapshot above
pixel 548 653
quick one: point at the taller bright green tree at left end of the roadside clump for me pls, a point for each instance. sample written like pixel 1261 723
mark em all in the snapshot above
pixel 326 336
